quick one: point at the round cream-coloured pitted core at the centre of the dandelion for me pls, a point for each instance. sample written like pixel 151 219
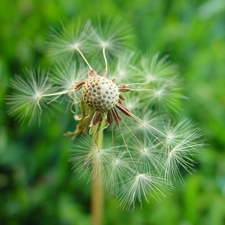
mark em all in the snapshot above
pixel 100 93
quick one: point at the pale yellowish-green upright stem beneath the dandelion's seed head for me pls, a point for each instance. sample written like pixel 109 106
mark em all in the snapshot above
pixel 97 189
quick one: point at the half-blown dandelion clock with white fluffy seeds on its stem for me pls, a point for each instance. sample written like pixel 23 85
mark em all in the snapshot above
pixel 130 96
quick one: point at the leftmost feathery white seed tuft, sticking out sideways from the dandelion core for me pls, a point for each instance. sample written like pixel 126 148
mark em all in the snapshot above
pixel 30 96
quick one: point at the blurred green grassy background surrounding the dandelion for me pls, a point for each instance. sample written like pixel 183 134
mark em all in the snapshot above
pixel 37 184
